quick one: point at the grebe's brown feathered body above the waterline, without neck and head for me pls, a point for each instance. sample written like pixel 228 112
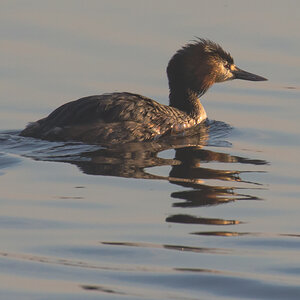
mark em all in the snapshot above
pixel 107 118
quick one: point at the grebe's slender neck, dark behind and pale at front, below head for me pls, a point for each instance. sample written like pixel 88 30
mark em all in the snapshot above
pixel 187 101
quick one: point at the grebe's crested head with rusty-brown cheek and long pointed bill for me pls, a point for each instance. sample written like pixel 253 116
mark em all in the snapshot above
pixel 200 64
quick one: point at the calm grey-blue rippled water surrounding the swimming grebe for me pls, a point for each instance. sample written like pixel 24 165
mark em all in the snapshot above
pixel 216 216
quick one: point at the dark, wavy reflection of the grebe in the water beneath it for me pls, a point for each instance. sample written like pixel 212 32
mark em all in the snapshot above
pixel 204 185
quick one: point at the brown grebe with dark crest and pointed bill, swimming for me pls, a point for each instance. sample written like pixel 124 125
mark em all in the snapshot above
pixel 127 117
